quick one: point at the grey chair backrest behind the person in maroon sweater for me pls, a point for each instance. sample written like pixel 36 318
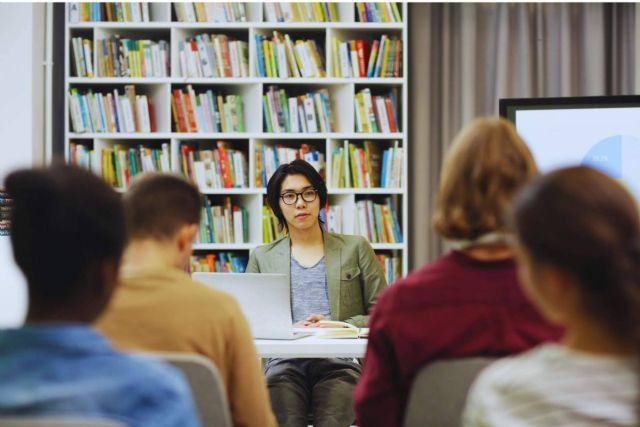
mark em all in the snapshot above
pixel 440 390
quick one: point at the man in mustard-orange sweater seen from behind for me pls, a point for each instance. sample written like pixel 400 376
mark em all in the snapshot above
pixel 157 307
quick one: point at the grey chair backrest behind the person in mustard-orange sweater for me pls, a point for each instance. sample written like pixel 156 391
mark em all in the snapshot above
pixel 206 386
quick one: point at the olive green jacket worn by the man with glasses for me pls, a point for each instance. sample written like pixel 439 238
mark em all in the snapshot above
pixel 354 276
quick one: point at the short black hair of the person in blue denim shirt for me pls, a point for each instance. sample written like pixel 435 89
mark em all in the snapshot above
pixel 64 220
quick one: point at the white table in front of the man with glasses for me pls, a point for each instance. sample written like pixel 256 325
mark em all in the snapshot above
pixel 312 347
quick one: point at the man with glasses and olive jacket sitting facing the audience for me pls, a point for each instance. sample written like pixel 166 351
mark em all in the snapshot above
pixel 333 277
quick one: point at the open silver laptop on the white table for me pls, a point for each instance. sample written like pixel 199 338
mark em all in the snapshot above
pixel 265 300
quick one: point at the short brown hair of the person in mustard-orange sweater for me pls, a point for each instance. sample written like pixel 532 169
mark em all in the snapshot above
pixel 157 205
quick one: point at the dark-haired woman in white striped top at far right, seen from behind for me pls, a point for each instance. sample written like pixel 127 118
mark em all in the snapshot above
pixel 578 248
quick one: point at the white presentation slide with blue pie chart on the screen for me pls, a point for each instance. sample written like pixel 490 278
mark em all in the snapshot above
pixel 605 138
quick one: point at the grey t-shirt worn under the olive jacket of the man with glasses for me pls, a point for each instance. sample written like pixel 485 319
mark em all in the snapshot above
pixel 309 293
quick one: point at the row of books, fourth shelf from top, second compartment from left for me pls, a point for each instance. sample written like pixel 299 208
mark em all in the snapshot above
pixel 221 167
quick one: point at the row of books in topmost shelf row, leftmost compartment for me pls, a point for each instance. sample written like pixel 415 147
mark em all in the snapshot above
pixel 131 11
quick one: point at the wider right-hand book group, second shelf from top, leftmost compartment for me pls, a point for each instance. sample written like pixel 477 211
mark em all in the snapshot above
pixel 122 57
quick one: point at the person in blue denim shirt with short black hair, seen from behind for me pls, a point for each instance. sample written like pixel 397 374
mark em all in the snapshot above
pixel 67 234
